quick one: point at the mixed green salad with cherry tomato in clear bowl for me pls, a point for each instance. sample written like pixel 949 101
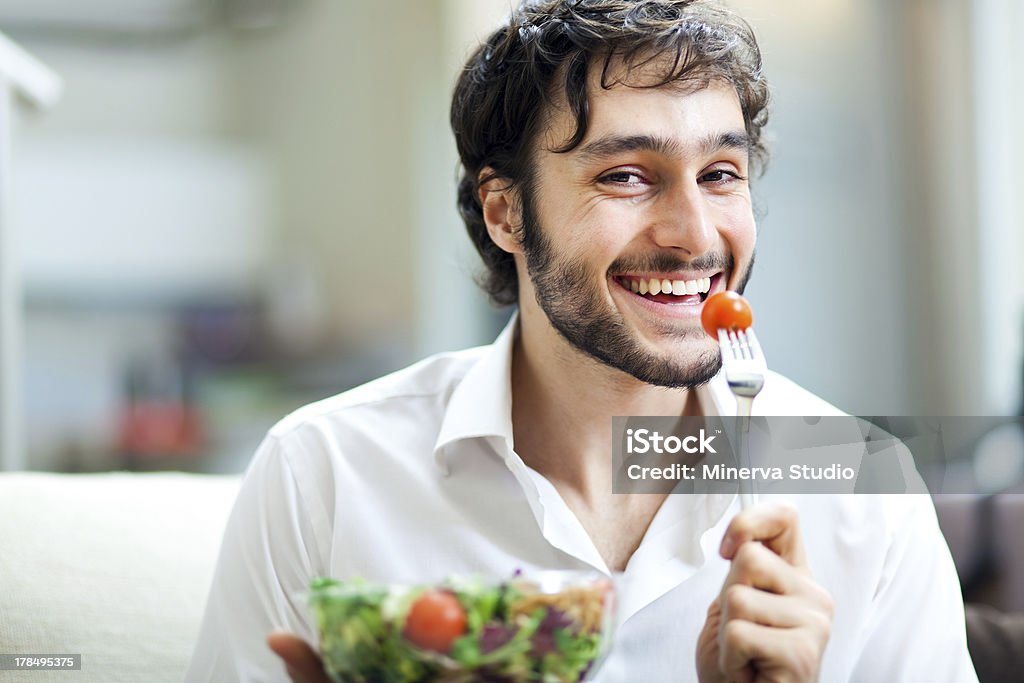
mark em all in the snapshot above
pixel 552 629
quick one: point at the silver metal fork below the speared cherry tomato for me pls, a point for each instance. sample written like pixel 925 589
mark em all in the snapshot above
pixel 745 371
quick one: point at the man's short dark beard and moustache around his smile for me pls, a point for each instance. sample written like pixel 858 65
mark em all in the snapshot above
pixel 585 319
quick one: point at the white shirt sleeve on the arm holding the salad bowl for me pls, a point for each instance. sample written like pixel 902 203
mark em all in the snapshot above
pixel 269 554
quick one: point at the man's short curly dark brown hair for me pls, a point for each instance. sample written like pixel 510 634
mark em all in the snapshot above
pixel 544 54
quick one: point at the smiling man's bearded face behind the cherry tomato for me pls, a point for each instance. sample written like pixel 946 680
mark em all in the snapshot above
pixel 656 192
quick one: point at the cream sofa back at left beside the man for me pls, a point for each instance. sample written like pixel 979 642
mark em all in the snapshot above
pixel 113 567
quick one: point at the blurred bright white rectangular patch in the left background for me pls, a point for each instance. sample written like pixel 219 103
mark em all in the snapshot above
pixel 123 218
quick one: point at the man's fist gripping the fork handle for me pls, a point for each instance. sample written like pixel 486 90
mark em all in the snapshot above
pixel 772 622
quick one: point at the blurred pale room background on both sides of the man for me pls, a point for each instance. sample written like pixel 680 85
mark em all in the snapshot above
pixel 240 206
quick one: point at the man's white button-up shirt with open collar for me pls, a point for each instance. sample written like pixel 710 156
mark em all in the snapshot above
pixel 413 478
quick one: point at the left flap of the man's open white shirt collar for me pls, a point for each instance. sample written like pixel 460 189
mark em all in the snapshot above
pixel 482 404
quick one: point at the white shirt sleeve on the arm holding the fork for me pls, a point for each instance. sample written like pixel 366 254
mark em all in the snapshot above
pixel 917 628
